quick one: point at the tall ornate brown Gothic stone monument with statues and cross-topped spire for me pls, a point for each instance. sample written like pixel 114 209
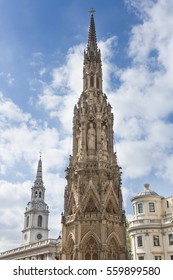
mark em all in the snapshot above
pixel 93 222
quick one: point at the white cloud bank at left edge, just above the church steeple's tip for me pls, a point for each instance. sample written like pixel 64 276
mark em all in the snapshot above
pixel 23 137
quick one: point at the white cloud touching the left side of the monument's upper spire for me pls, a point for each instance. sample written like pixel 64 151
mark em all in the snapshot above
pixel 59 96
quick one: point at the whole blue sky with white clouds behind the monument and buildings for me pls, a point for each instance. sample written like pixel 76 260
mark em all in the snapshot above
pixel 41 59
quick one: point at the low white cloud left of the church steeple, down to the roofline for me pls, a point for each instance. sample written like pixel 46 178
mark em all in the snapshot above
pixel 14 198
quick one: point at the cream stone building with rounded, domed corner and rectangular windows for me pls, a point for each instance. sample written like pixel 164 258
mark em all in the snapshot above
pixel 151 230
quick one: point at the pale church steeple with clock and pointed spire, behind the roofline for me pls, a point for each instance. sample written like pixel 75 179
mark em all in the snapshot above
pixel 37 213
